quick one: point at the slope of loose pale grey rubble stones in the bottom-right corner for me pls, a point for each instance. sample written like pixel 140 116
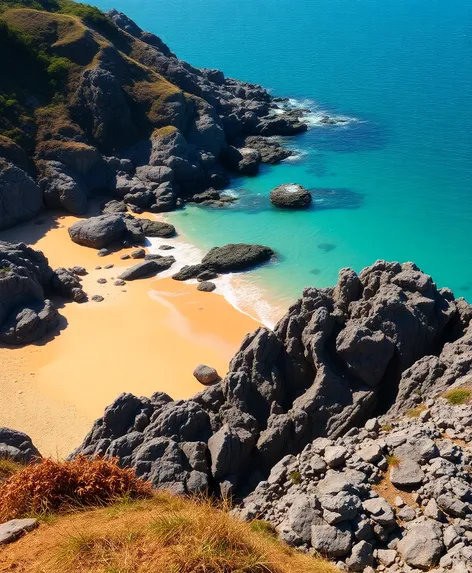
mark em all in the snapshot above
pixel 337 497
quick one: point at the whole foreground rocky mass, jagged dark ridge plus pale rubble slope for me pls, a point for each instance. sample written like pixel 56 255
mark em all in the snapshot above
pixel 341 427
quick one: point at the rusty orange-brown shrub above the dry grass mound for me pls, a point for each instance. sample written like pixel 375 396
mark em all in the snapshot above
pixel 52 485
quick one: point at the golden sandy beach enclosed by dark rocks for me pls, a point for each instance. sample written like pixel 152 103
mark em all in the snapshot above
pixel 144 337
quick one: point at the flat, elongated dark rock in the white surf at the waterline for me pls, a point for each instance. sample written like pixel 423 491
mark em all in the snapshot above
pixel 236 257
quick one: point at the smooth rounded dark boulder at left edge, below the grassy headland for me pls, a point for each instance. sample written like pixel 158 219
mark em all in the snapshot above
pixel 20 196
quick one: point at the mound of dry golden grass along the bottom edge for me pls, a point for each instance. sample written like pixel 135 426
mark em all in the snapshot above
pixel 165 534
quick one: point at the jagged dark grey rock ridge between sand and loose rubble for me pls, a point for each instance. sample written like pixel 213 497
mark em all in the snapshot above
pixel 338 357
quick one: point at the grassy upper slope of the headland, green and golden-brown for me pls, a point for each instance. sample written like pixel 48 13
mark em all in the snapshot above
pixel 47 51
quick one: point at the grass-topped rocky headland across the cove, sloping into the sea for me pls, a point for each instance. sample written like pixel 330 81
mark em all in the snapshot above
pixel 125 117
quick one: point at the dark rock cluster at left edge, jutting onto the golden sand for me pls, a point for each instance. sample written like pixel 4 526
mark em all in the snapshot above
pixel 26 281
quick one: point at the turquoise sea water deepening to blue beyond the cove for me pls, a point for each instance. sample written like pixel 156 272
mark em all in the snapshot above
pixel 399 178
